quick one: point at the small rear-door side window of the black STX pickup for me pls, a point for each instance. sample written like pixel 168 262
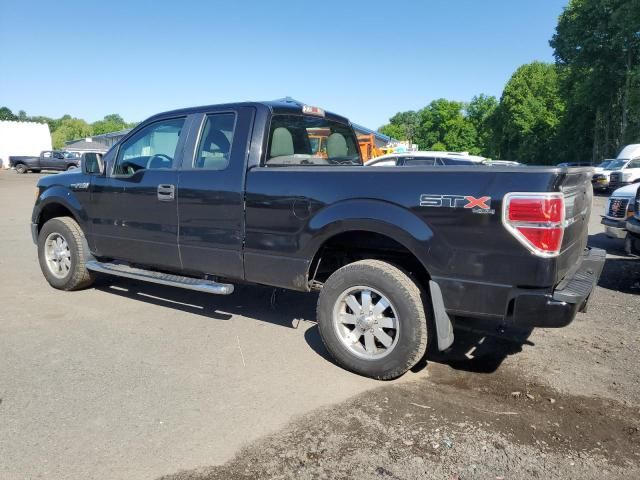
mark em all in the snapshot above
pixel 214 149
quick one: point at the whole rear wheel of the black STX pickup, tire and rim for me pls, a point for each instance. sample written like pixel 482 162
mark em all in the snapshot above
pixel 372 319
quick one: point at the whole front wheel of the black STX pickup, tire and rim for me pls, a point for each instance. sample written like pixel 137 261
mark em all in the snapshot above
pixel 63 252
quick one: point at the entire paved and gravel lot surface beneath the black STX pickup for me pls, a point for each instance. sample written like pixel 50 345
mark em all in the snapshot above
pixel 135 381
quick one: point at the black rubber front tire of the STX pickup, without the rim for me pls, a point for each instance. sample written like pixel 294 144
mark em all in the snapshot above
pixel 77 277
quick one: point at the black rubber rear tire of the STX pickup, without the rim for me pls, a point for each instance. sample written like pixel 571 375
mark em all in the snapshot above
pixel 407 299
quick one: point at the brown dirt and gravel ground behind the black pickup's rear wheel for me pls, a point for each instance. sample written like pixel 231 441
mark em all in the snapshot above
pixel 545 404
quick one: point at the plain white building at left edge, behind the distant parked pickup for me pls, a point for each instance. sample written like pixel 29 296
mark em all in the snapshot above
pixel 22 138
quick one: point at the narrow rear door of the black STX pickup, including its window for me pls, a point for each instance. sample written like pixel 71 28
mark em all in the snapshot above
pixel 211 193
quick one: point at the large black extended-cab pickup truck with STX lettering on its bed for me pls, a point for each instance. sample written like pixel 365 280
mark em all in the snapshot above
pixel 205 197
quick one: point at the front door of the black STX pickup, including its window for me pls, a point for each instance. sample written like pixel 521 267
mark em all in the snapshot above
pixel 134 212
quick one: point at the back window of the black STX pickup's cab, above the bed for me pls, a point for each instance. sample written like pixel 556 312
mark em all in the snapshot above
pixel 296 140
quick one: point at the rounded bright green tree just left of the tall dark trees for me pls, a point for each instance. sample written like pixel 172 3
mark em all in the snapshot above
pixel 530 111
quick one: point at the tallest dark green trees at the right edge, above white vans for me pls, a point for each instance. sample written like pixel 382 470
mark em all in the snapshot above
pixel 597 48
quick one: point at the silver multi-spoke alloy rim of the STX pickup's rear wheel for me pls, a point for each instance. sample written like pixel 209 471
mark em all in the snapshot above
pixel 366 323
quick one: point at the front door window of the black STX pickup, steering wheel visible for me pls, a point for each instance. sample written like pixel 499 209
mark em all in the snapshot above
pixel 154 147
